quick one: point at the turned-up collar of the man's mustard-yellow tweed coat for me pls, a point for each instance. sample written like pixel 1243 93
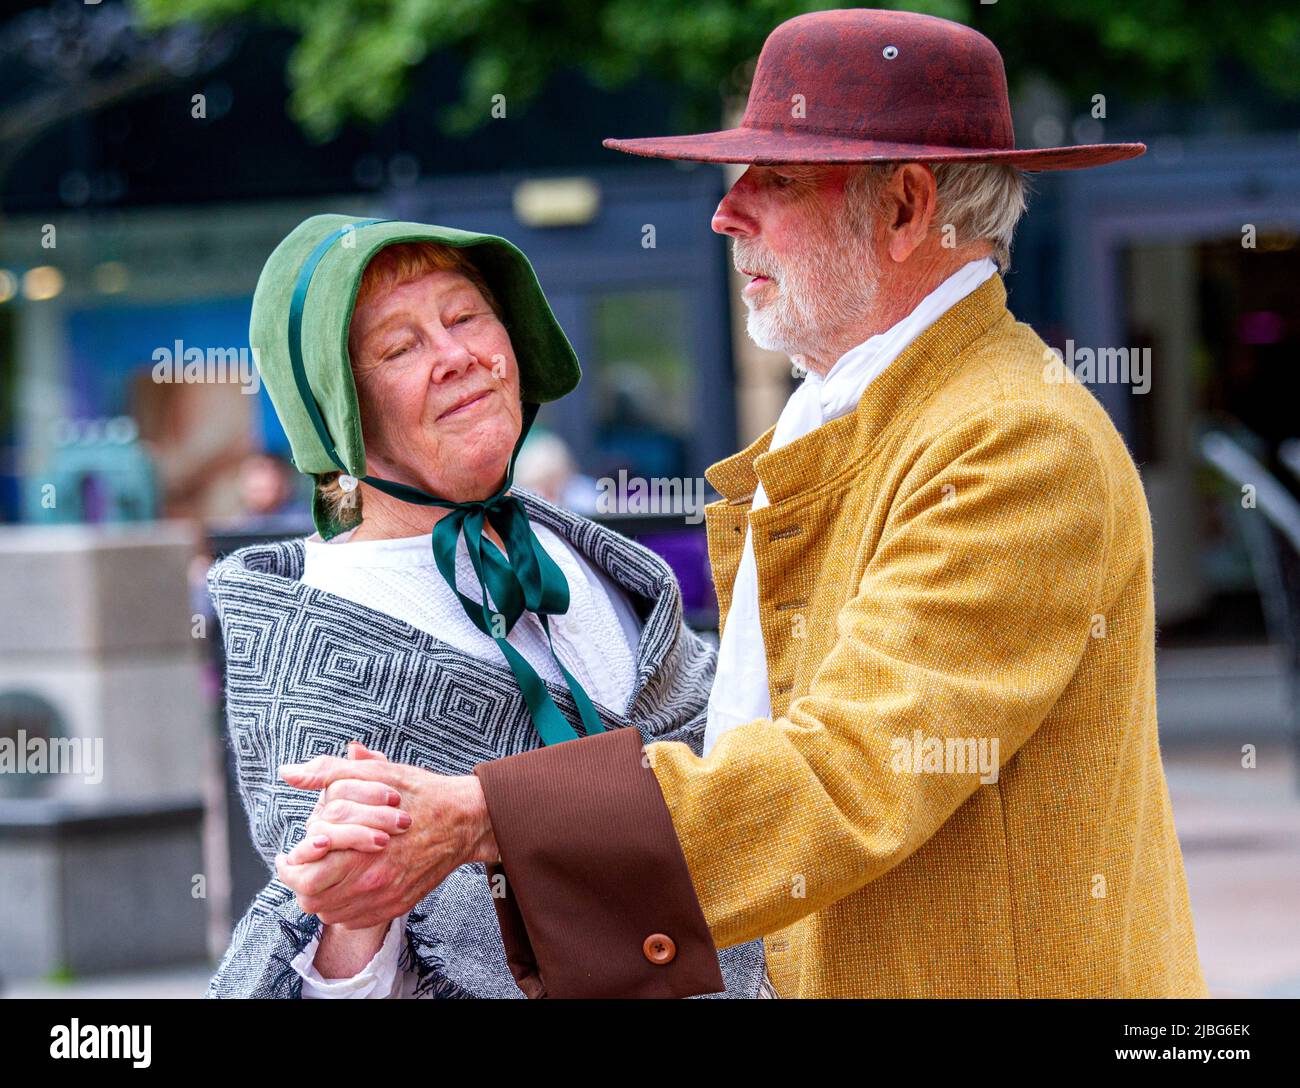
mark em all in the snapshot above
pixel 907 382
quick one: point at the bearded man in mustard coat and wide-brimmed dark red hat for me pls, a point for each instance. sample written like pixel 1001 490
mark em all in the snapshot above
pixel 931 758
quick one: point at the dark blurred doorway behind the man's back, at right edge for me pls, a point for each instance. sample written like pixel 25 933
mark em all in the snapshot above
pixel 1193 252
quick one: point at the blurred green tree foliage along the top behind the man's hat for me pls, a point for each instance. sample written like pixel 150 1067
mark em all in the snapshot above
pixel 354 59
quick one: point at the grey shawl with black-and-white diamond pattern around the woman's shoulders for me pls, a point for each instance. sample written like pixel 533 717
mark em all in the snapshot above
pixel 309 671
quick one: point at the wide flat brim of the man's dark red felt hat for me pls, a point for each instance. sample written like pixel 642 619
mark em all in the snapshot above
pixel 773 148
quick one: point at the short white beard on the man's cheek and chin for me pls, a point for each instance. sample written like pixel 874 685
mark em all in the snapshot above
pixel 827 291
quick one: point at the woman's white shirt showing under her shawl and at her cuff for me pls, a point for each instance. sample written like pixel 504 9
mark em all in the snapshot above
pixel 596 639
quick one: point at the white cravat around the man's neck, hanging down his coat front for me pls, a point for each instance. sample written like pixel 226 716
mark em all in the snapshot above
pixel 740 688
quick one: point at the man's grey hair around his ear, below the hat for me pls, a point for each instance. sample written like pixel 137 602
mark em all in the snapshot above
pixel 981 202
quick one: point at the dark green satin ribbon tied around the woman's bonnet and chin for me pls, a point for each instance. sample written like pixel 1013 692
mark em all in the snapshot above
pixel 525 579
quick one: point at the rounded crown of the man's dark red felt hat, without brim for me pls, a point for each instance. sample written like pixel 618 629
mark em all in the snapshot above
pixel 895 77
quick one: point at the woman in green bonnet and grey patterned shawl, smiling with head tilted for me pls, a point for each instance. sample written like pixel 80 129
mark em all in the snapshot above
pixel 439 618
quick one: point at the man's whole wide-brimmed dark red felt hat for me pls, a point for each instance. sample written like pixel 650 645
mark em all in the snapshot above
pixel 869 86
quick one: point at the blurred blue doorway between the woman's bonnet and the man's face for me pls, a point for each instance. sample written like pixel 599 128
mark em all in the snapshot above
pixel 639 284
